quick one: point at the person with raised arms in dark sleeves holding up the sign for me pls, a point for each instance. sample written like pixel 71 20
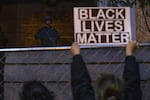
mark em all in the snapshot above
pixel 109 87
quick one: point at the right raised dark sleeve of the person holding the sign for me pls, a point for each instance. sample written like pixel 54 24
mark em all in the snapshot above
pixel 131 76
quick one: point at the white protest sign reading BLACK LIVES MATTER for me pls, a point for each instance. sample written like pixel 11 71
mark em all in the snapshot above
pixel 99 26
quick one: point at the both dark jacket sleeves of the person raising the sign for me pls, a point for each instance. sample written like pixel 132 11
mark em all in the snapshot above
pixel 81 81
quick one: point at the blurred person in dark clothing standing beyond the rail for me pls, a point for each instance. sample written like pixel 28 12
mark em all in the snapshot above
pixel 47 34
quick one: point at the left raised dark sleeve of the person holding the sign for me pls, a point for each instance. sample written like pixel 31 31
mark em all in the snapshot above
pixel 80 80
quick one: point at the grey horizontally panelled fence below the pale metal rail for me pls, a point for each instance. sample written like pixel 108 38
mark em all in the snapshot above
pixel 53 69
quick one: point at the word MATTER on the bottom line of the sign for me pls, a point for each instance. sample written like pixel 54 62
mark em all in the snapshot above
pixel 114 37
